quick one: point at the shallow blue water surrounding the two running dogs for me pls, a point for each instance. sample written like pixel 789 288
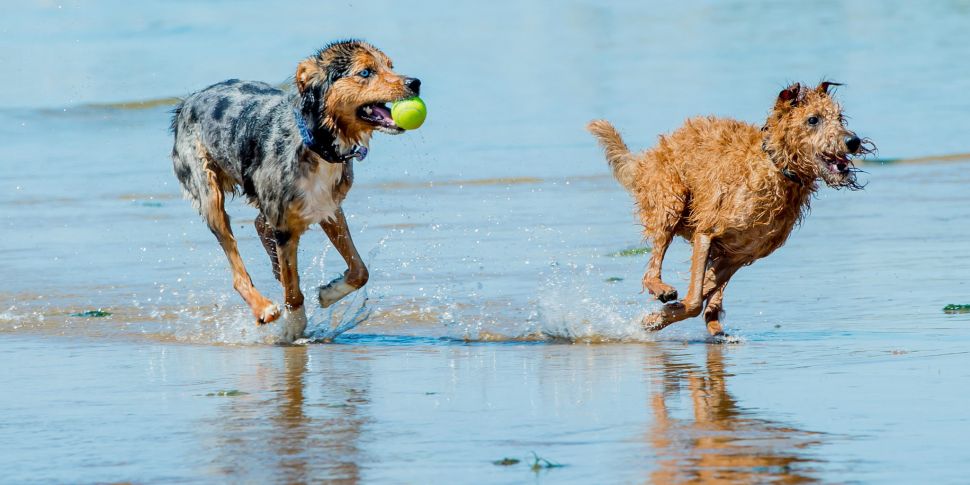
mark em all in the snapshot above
pixel 489 233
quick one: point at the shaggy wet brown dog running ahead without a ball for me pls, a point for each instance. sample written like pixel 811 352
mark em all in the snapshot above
pixel 733 190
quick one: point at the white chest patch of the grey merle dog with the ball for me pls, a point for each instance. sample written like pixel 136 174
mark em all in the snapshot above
pixel 321 192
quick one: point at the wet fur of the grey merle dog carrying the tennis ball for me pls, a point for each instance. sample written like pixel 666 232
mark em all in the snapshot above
pixel 243 137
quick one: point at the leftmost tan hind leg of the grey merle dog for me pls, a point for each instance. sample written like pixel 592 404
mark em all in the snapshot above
pixel 214 211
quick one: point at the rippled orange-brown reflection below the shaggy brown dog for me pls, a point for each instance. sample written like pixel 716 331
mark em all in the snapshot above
pixel 719 442
